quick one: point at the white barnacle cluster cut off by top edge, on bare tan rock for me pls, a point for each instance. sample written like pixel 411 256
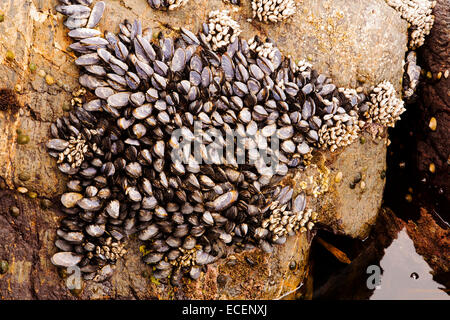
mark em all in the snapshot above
pixel 273 10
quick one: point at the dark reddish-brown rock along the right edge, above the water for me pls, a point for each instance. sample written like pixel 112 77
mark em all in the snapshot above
pixel 433 146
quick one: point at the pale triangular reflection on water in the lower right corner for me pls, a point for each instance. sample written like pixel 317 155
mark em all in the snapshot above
pixel 406 275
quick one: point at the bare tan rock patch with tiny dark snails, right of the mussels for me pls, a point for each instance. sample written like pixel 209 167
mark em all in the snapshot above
pixel 350 209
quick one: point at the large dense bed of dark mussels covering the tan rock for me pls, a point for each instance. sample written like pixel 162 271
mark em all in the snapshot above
pixel 128 153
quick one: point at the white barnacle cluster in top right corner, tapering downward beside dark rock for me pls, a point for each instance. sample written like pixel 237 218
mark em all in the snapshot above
pixel 418 13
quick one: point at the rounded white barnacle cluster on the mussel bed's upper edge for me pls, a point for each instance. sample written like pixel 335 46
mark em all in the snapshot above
pixel 222 29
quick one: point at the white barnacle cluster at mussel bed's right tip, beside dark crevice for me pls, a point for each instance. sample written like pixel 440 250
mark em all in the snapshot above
pixel 384 107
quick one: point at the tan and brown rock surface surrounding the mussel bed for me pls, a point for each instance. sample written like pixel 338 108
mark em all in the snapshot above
pixel 357 45
